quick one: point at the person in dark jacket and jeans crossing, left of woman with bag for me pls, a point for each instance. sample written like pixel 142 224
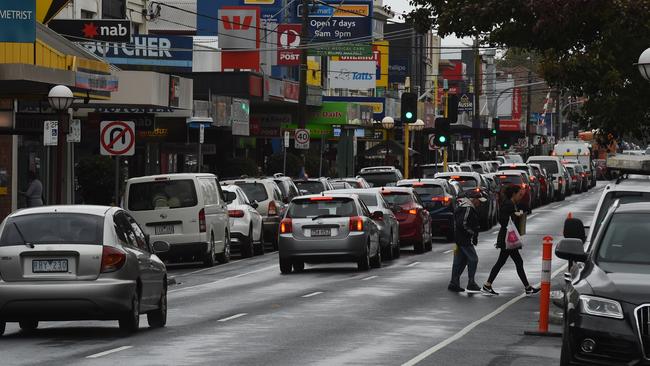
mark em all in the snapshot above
pixel 467 226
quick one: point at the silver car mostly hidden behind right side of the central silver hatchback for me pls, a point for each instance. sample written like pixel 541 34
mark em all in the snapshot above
pixel 387 224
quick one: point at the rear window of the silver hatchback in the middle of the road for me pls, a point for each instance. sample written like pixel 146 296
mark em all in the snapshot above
pixel 322 207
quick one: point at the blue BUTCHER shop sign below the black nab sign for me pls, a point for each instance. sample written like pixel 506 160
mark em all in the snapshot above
pixel 152 50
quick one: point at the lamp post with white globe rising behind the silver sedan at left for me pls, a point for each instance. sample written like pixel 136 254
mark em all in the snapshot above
pixel 60 98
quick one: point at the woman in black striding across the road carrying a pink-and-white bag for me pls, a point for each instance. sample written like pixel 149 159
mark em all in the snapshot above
pixel 509 210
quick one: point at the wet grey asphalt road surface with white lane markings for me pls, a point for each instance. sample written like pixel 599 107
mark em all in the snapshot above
pixel 247 313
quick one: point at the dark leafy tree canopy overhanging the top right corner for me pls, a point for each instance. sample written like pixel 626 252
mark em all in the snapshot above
pixel 587 47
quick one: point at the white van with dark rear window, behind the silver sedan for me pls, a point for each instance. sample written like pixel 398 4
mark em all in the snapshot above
pixel 186 210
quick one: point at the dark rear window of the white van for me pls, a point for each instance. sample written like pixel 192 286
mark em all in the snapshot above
pixel 162 194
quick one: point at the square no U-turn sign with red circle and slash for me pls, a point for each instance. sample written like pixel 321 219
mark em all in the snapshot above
pixel 117 138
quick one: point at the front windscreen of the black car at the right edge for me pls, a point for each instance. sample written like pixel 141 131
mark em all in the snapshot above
pixel 625 239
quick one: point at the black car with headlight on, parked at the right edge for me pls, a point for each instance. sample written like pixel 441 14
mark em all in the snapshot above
pixel 607 296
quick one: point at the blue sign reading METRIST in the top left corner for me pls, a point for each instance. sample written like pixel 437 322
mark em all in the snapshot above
pixel 18 21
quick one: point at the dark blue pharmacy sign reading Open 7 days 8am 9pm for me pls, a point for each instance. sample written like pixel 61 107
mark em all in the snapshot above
pixel 338 21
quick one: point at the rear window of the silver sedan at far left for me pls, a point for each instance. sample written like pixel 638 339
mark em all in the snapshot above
pixel 53 228
